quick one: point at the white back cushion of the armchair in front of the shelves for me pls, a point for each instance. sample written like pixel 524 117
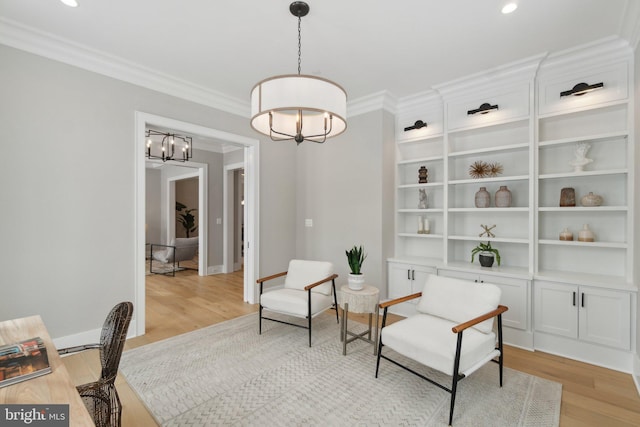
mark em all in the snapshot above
pixel 459 300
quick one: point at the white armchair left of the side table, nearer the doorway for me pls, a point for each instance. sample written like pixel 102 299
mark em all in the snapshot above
pixel 309 289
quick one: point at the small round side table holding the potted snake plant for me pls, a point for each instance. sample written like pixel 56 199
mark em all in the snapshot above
pixel 361 301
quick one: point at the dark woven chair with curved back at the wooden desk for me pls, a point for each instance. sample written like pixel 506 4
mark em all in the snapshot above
pixel 101 397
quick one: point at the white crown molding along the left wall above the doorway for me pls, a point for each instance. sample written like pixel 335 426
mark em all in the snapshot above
pixel 64 50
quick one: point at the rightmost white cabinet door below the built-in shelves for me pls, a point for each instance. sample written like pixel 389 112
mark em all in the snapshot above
pixel 605 317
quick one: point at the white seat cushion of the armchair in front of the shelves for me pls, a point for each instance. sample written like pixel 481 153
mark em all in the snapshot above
pixel 429 340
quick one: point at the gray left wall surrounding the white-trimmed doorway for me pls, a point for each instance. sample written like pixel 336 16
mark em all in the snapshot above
pixel 67 222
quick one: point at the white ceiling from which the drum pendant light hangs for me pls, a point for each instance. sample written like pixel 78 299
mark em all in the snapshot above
pixel 366 46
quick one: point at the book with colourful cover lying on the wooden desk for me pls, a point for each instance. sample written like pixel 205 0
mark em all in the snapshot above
pixel 22 361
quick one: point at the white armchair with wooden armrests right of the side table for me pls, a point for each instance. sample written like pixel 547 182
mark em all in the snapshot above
pixel 433 337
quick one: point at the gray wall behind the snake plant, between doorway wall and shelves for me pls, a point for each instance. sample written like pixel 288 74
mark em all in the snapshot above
pixel 343 186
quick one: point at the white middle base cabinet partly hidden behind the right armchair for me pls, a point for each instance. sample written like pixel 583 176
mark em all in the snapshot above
pixel 514 295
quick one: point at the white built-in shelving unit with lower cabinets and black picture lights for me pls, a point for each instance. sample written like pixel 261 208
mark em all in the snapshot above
pixel 583 292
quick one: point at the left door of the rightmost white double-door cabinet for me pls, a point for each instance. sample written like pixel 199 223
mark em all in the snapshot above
pixel 556 308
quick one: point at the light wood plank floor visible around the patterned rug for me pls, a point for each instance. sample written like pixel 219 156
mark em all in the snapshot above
pixel 591 396
